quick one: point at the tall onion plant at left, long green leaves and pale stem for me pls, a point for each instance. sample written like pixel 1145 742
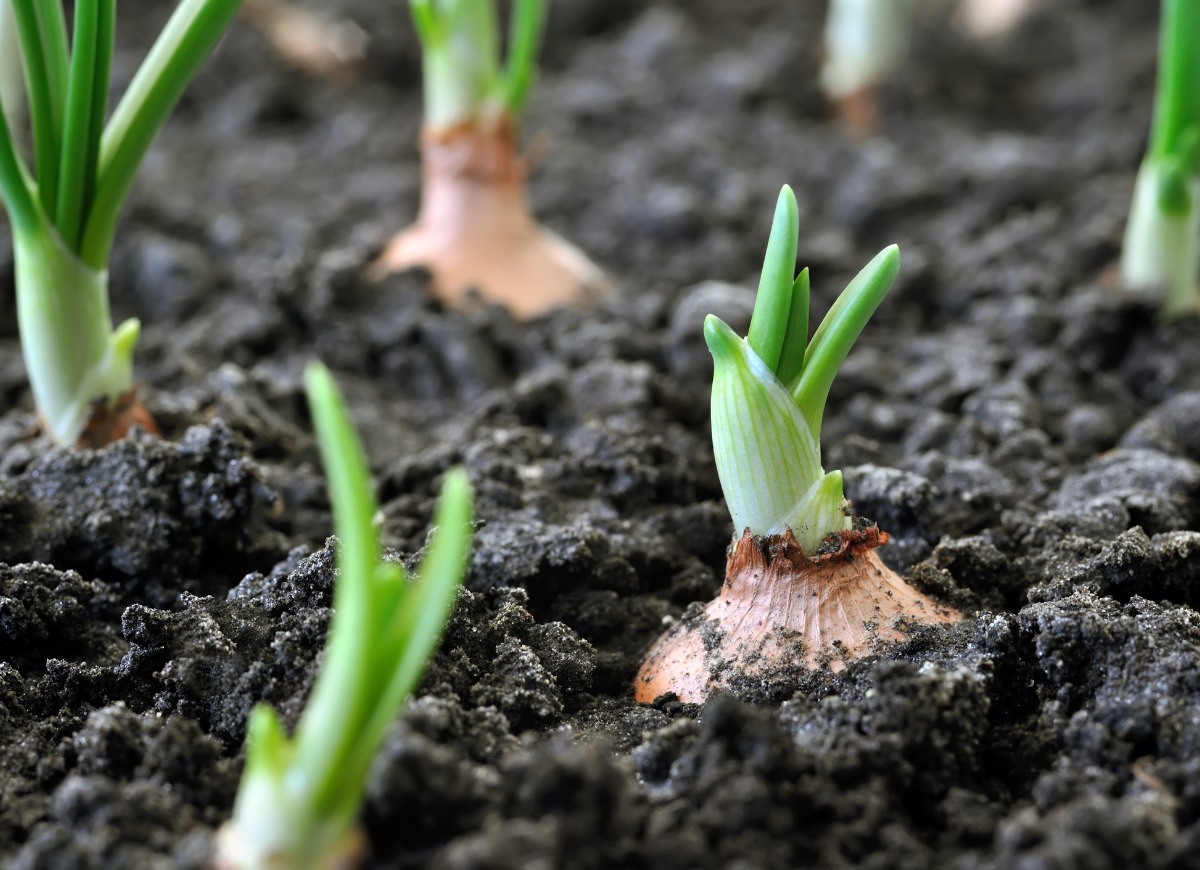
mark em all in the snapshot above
pixel 64 211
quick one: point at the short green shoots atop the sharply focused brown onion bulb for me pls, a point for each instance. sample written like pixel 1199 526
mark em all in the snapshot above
pixel 770 391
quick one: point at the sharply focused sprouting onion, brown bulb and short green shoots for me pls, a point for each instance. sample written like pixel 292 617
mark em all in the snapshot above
pixel 803 584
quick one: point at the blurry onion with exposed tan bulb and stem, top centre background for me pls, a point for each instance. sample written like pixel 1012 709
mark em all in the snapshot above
pixel 475 231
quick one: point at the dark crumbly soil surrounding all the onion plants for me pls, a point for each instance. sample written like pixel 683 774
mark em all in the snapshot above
pixel 1027 431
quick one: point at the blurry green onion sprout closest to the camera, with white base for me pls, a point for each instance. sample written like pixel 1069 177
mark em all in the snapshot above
pixel 299 797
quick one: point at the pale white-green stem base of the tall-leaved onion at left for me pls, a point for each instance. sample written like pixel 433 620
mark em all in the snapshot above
pixel 73 355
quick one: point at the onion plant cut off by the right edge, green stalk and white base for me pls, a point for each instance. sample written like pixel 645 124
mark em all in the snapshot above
pixel 1162 242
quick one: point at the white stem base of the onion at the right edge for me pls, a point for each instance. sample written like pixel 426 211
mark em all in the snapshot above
pixel 1163 250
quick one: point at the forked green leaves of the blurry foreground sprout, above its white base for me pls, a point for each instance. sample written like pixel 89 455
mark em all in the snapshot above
pixel 370 668
